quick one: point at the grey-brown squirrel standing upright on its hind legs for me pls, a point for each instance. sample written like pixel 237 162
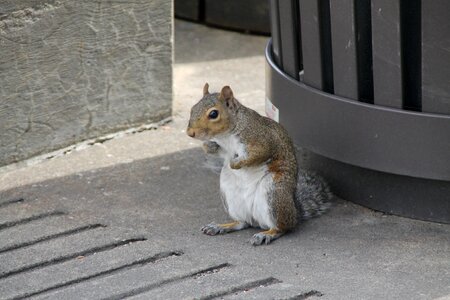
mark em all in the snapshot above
pixel 260 182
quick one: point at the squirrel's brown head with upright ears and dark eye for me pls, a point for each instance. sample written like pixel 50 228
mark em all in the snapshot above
pixel 213 114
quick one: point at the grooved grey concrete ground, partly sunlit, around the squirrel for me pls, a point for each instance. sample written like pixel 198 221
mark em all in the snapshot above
pixel 121 218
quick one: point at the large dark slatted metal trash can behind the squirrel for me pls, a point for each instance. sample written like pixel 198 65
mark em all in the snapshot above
pixel 363 87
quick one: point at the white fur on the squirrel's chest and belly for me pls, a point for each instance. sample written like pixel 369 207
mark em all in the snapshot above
pixel 246 190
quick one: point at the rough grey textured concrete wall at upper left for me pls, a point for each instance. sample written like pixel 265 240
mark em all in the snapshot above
pixel 76 69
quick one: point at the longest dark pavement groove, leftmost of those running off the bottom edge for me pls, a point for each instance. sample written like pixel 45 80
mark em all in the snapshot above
pixel 128 266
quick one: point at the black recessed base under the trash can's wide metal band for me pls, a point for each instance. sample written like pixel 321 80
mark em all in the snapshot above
pixel 405 196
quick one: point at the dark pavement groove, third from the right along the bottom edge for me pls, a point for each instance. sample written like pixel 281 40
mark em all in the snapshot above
pixel 152 286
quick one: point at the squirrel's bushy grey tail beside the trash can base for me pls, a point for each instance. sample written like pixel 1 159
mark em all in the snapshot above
pixel 313 195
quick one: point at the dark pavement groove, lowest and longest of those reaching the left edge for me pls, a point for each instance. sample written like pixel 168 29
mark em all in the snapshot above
pixel 65 258
